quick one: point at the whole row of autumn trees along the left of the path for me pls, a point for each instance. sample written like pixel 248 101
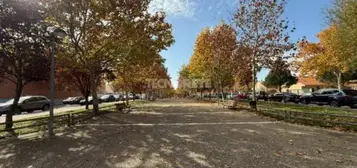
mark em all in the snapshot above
pixel 106 40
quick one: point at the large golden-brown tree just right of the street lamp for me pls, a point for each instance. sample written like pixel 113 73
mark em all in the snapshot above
pixel 103 35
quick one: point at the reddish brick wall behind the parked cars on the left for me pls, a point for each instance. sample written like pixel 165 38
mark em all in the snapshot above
pixel 7 90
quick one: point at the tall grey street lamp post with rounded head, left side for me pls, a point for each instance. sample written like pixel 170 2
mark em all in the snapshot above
pixel 55 34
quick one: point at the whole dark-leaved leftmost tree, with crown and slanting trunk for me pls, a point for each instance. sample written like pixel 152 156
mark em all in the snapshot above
pixel 23 54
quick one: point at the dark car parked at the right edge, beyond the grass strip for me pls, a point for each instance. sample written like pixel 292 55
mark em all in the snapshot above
pixel 332 97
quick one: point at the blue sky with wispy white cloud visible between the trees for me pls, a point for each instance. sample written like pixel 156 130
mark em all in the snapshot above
pixel 190 17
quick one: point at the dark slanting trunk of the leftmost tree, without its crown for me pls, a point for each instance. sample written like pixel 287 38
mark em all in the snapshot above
pixel 14 108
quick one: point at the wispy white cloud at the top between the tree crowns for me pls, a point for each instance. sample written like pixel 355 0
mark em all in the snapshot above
pixel 185 8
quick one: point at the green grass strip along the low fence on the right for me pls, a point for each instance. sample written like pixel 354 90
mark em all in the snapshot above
pixel 323 116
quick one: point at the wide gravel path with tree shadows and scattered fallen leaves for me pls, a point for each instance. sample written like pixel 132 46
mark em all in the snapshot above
pixel 184 134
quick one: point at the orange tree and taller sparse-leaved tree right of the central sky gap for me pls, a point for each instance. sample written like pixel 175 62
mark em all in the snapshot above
pixel 233 53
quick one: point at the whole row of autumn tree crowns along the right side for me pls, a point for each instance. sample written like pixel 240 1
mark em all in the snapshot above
pixel 262 41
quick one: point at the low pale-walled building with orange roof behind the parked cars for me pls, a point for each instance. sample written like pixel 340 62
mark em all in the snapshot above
pixel 305 85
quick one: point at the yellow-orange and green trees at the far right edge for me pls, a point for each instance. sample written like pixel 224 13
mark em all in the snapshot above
pixel 333 58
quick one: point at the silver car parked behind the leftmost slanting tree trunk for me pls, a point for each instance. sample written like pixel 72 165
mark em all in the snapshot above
pixel 27 104
